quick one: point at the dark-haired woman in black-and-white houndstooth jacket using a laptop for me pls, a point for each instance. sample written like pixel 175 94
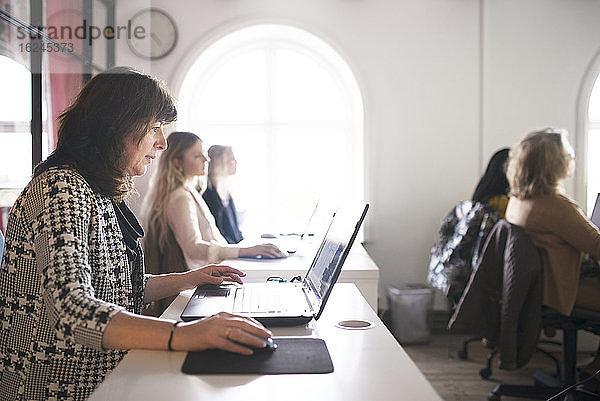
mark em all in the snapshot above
pixel 72 277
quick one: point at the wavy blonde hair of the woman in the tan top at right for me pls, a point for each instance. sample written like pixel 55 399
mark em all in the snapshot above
pixel 539 163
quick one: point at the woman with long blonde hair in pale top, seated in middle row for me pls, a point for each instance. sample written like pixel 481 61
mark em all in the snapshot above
pixel 182 232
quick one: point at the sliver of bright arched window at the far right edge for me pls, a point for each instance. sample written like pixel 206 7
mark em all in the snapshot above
pixel 593 147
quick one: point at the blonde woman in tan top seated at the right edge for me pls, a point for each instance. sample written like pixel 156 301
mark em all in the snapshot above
pixel 537 167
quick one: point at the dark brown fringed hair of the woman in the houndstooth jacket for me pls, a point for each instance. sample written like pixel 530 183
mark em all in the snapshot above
pixel 113 109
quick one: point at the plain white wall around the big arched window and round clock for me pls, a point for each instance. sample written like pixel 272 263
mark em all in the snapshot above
pixel 418 66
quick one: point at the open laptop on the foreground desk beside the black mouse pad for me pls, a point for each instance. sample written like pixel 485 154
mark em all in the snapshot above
pixel 289 303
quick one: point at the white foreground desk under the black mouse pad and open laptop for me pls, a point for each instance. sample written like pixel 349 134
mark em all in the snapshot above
pixel 369 365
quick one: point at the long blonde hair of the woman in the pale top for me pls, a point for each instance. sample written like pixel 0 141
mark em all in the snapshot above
pixel 167 179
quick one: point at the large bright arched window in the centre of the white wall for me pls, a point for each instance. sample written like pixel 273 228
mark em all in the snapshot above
pixel 292 110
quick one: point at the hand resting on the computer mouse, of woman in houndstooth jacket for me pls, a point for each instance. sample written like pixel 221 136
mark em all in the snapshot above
pixel 223 331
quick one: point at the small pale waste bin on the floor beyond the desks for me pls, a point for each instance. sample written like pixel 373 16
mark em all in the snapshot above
pixel 411 306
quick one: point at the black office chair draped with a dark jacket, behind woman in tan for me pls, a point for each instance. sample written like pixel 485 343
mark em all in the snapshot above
pixel 510 273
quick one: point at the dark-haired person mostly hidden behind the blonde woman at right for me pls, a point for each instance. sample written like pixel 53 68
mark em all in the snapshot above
pixel 493 186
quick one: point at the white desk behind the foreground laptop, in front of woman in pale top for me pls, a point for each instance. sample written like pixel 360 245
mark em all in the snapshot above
pixel 359 269
